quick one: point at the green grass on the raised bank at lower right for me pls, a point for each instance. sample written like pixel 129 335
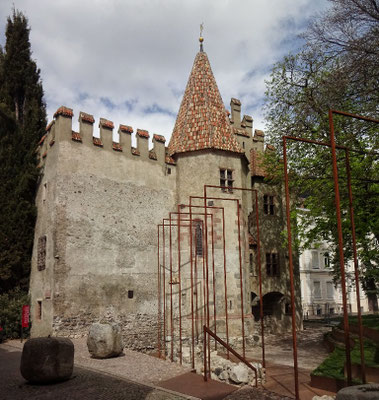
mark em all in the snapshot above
pixel 333 365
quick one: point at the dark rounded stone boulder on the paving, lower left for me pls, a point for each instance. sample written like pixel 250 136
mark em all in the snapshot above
pixel 47 359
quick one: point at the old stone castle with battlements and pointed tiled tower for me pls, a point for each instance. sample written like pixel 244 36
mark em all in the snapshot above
pixel 118 235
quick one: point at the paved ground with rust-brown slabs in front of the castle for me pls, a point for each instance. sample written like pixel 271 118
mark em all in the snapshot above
pixel 139 376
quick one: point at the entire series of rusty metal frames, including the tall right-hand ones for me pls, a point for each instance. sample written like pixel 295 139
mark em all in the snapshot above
pixel 205 317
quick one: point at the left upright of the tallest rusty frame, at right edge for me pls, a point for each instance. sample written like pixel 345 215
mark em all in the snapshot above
pixel 340 248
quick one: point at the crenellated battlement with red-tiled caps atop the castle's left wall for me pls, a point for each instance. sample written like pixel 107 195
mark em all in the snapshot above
pixel 60 129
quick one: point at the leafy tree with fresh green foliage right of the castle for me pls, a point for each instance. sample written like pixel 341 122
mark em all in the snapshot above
pixel 336 69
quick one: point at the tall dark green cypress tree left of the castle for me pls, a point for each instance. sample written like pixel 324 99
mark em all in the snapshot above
pixel 22 124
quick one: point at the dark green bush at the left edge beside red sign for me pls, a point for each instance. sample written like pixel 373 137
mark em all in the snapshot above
pixel 10 314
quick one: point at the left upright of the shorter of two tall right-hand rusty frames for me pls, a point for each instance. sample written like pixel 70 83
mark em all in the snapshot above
pixel 293 311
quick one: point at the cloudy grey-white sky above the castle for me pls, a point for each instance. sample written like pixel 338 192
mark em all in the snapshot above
pixel 129 61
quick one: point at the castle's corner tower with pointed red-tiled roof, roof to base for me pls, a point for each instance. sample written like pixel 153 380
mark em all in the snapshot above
pixel 207 152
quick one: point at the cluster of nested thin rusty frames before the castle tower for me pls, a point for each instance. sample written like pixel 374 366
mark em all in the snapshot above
pixel 208 265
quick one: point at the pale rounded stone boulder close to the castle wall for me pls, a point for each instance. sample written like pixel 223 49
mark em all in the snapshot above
pixel 105 340
